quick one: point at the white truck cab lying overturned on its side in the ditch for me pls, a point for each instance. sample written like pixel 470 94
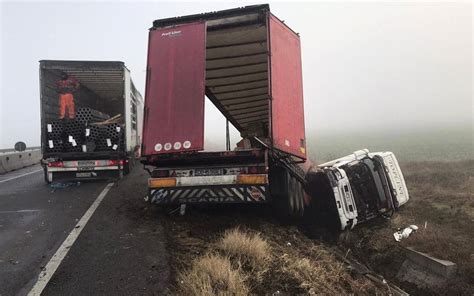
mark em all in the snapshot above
pixel 360 187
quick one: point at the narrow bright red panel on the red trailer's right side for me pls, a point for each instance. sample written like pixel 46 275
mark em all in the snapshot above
pixel 287 109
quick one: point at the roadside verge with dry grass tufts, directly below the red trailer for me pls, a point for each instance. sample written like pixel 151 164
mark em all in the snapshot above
pixel 262 257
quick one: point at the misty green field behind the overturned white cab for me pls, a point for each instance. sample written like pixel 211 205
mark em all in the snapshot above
pixel 430 144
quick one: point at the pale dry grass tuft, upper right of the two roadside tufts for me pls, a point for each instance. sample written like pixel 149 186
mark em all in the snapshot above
pixel 248 250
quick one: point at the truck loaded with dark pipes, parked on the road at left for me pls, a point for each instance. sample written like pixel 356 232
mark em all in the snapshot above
pixel 102 140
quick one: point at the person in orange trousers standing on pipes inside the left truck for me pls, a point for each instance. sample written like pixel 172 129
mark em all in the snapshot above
pixel 65 87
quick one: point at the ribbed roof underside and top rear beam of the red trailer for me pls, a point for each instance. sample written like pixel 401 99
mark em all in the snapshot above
pixel 237 77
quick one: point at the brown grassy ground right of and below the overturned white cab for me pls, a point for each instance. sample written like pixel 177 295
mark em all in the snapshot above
pixel 442 196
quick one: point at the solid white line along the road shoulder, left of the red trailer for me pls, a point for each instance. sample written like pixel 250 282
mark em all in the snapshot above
pixel 62 251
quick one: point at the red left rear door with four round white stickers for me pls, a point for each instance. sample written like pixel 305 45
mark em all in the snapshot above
pixel 175 87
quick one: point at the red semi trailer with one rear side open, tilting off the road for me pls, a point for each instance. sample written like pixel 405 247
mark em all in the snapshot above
pixel 248 63
